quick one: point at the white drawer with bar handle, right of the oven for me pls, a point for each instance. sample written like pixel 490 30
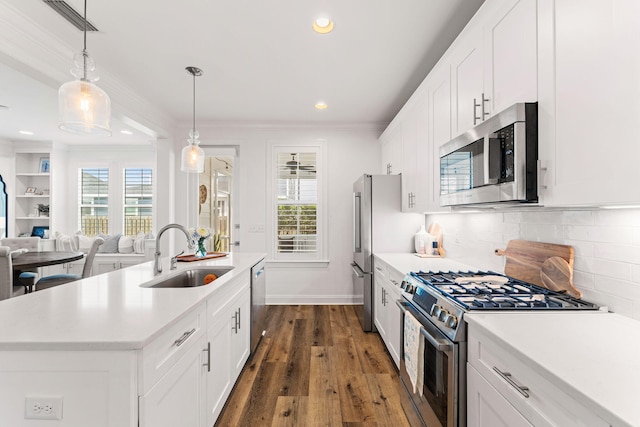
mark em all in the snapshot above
pixel 542 403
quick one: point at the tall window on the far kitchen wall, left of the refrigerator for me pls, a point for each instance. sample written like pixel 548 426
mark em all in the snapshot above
pixel 297 207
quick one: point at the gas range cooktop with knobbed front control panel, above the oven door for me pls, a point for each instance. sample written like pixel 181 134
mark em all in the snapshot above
pixel 444 297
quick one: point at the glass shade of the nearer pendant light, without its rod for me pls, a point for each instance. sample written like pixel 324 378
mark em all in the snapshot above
pixel 84 109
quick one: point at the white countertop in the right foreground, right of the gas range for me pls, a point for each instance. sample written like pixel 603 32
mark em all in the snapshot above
pixel 592 357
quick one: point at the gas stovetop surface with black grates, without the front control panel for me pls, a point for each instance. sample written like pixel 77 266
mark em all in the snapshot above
pixel 498 292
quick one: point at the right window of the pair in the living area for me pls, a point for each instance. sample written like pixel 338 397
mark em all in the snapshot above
pixel 138 201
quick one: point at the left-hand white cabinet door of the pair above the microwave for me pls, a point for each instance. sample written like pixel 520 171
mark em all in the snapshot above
pixel 467 80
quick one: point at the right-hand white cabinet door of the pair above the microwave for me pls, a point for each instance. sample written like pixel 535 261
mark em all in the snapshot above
pixel 510 44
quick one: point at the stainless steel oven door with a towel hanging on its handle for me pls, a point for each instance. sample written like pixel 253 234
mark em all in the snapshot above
pixel 443 376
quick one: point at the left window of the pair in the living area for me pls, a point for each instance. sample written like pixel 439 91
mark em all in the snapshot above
pixel 94 200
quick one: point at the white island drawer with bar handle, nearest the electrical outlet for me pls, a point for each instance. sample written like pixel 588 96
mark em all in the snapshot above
pixel 165 350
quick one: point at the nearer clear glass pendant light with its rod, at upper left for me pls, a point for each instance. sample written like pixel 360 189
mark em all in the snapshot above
pixel 84 108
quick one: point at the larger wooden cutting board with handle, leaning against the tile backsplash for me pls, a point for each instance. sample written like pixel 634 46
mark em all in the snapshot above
pixel 524 258
